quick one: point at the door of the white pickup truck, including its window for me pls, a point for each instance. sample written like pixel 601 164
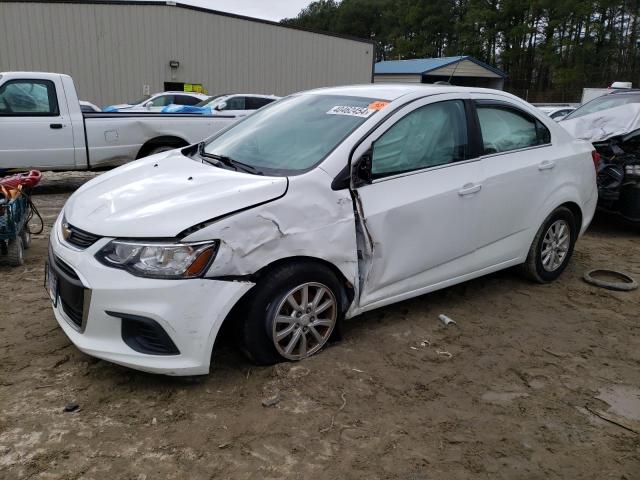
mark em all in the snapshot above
pixel 35 128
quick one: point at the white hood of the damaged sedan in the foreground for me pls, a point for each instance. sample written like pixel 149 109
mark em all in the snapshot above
pixel 162 195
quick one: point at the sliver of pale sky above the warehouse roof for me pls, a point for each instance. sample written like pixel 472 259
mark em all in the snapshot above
pixel 267 9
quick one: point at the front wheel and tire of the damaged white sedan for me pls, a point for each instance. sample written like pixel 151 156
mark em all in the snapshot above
pixel 269 298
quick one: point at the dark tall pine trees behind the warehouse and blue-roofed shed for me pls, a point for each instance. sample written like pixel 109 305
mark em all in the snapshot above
pixel 550 49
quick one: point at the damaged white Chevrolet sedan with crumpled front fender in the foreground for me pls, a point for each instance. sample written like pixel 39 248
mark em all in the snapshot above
pixel 318 207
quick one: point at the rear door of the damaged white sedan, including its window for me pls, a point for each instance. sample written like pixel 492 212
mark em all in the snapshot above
pixel 518 163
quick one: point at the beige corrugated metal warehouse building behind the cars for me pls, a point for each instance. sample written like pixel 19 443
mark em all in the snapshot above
pixel 118 51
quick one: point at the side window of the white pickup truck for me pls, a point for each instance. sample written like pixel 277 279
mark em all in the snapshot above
pixel 28 98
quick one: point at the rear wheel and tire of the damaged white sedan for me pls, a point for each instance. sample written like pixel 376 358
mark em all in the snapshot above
pixel 544 267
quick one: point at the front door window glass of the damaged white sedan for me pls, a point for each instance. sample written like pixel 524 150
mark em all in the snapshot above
pixel 432 135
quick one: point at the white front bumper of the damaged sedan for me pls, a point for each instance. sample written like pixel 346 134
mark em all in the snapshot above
pixel 189 311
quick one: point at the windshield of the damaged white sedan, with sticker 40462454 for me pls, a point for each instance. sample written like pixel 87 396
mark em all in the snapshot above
pixel 293 134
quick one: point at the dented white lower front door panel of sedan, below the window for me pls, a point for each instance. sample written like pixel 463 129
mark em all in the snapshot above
pixel 421 229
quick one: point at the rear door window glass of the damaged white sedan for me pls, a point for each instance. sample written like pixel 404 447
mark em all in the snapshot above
pixel 504 129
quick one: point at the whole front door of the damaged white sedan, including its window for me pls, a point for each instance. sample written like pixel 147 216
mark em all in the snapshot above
pixel 420 211
